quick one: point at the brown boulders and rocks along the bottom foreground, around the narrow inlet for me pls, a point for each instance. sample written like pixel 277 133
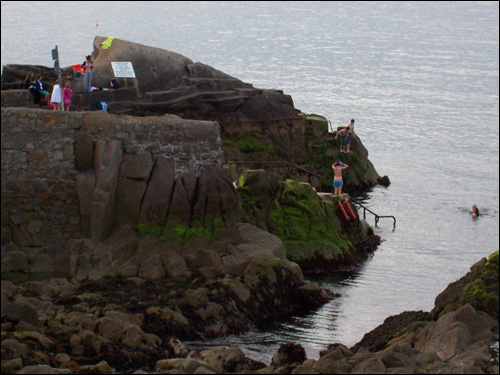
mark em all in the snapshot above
pixel 137 326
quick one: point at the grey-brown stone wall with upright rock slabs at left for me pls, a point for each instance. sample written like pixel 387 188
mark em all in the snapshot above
pixel 68 175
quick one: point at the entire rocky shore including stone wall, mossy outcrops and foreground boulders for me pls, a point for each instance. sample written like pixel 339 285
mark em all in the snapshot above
pixel 158 236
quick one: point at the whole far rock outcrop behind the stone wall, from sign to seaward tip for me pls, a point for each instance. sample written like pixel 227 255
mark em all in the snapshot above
pixel 256 124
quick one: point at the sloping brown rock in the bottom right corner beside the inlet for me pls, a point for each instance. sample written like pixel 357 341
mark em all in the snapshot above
pixel 455 338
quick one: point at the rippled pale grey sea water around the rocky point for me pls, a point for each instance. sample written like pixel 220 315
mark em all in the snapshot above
pixel 421 80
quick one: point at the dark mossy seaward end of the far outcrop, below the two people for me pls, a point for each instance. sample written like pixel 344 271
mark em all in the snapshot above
pixel 318 151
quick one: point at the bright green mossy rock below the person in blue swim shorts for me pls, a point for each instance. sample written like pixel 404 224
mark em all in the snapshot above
pixel 308 226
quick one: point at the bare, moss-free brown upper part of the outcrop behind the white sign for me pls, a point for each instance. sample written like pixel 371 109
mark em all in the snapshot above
pixel 171 83
